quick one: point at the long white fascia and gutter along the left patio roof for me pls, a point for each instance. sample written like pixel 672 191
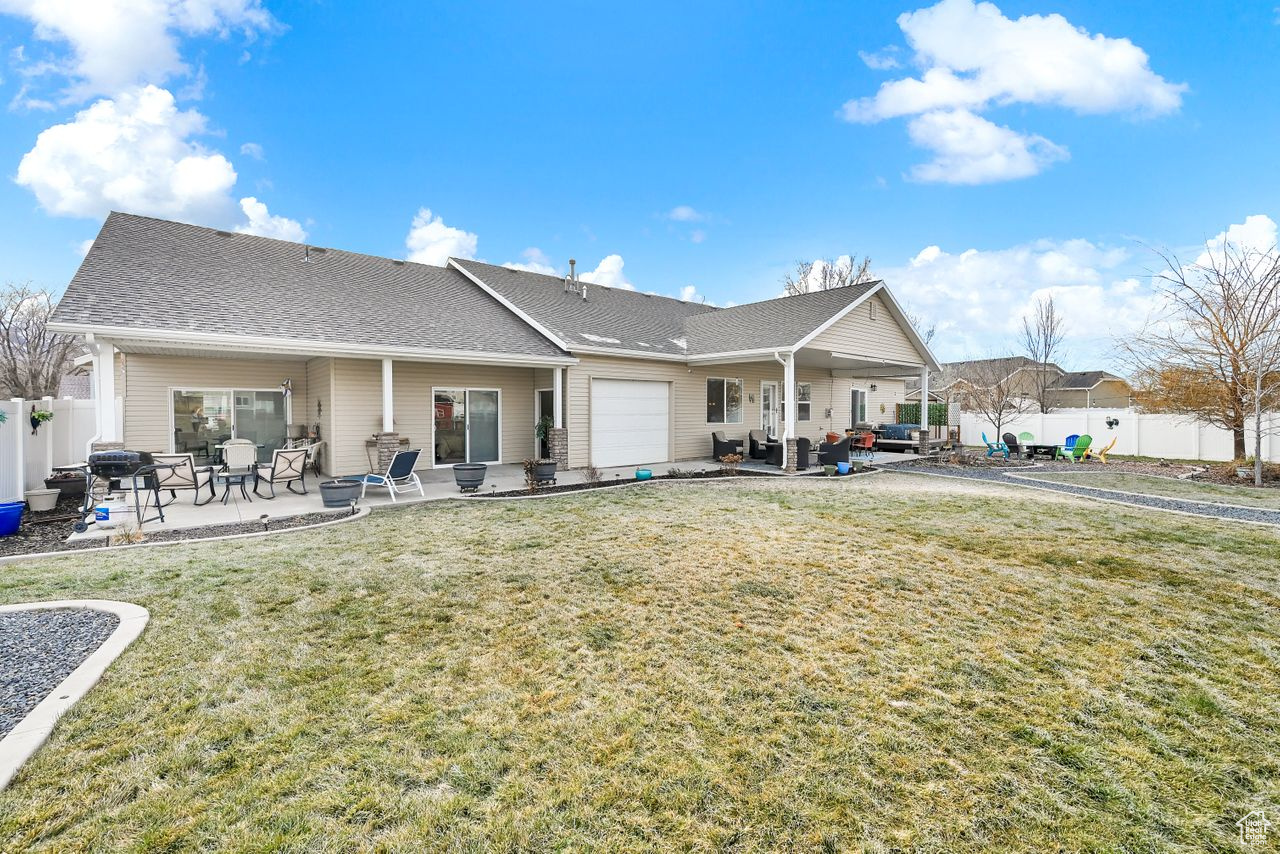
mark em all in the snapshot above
pixel 303 348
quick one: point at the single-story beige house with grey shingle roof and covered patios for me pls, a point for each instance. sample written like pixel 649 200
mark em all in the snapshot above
pixel 216 335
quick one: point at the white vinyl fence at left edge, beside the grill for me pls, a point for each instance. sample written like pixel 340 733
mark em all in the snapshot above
pixel 26 460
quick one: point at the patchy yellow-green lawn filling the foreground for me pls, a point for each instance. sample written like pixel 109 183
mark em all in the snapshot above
pixel 893 663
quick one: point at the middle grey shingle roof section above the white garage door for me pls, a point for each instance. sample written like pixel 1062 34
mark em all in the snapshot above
pixel 609 319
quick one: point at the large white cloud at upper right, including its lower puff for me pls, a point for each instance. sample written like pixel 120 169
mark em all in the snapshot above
pixel 975 60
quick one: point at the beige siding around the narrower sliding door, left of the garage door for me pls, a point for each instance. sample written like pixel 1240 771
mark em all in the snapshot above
pixel 359 407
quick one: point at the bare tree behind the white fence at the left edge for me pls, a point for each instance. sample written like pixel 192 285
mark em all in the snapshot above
pixel 33 359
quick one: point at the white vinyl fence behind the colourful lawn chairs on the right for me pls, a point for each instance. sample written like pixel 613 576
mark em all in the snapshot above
pixel 1140 435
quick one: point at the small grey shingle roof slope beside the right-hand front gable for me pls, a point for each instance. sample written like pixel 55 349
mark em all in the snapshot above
pixel 771 325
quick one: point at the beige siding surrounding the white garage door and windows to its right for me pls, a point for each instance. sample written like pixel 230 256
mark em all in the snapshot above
pixel 691 433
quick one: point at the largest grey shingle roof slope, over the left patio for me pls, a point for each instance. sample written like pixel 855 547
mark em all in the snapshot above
pixel 156 275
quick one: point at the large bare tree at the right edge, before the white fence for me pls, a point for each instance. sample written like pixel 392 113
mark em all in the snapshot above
pixel 1212 353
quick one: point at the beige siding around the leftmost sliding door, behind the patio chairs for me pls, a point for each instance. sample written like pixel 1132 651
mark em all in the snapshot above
pixel 150 380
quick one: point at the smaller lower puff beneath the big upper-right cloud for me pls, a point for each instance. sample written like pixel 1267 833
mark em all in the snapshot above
pixel 971 150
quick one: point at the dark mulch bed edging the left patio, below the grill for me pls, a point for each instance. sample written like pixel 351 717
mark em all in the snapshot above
pixel 49 532
